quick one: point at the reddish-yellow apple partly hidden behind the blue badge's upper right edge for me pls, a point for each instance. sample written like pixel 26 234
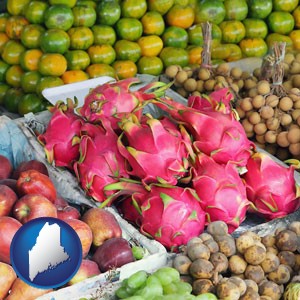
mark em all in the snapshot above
pixel 84 232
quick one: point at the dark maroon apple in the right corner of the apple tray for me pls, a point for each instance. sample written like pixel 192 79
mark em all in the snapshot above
pixel 113 253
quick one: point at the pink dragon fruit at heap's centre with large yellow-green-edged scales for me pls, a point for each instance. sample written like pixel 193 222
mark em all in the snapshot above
pixel 155 150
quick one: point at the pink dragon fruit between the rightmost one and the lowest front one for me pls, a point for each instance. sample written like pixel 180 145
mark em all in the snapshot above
pixel 221 191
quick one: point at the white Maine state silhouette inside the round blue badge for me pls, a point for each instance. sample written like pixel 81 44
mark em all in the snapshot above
pixel 47 253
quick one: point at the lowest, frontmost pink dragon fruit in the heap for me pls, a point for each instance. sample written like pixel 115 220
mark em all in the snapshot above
pixel 171 215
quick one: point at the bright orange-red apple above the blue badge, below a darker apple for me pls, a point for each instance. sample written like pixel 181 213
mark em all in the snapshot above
pixel 34 182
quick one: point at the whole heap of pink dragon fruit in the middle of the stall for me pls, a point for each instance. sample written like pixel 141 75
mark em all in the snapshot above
pixel 169 175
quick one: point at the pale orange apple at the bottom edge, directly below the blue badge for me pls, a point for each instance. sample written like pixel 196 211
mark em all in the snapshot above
pixel 21 290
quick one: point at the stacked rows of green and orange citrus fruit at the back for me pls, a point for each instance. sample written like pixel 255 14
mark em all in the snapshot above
pixel 55 42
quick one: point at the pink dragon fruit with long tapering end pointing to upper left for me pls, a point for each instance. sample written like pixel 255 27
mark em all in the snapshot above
pixel 217 134
